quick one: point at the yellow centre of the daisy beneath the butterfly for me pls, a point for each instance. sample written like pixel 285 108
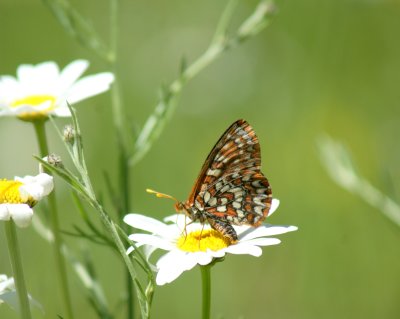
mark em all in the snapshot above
pixel 201 240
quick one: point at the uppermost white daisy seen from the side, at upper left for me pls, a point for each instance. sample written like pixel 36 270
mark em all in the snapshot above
pixel 41 90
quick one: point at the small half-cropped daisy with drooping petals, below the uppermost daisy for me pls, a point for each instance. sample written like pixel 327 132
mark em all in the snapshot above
pixel 18 196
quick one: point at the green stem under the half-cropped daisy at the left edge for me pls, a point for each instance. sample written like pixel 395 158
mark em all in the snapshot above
pixel 16 265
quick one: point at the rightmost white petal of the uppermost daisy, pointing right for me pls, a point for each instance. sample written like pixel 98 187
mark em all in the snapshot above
pixel 89 86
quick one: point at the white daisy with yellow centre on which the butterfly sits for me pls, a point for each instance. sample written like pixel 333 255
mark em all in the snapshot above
pixel 192 244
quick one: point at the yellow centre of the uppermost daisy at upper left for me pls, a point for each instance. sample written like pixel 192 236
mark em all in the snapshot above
pixel 35 100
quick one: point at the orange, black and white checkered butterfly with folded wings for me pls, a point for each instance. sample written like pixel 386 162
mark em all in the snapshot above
pixel 230 189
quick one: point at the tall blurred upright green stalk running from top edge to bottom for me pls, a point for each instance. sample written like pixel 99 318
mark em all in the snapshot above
pixel 124 168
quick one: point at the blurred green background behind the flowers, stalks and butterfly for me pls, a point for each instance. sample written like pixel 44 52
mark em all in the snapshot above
pixel 321 67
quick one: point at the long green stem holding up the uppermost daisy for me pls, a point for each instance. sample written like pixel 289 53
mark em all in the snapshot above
pixel 55 225
